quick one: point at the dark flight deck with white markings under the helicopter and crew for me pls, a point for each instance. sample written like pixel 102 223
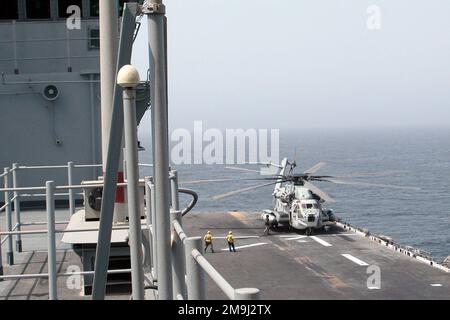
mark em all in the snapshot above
pixel 313 268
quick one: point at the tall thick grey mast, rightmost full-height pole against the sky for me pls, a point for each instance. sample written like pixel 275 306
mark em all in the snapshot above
pixel 155 11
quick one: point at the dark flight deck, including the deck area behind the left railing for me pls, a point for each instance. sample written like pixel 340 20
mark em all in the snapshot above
pixel 283 265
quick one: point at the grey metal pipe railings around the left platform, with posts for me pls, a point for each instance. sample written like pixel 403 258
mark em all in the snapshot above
pixel 189 266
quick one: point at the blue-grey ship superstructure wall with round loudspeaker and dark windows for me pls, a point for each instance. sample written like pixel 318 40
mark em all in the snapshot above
pixel 50 87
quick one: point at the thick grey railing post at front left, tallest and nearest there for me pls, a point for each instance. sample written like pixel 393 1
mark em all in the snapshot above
pixel 51 241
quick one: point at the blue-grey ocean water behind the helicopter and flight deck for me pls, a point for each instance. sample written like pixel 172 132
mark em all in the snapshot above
pixel 418 157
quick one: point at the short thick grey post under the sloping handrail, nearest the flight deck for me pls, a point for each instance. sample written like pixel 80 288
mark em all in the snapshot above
pixel 195 276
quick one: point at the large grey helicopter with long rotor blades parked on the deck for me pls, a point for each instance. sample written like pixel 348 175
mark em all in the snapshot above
pixel 298 203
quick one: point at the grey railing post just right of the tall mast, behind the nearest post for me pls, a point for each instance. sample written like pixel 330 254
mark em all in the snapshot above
pixel 178 259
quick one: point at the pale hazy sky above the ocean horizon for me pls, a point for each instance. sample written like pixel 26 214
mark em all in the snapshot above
pixel 305 63
